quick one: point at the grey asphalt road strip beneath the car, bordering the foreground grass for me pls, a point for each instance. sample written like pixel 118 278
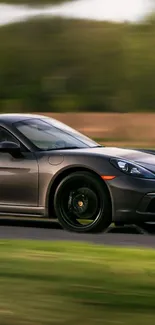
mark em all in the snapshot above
pixel 44 230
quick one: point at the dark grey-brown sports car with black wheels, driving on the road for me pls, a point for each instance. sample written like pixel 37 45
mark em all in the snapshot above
pixel 49 170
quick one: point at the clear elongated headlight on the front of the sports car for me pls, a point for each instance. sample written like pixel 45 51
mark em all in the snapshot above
pixel 132 168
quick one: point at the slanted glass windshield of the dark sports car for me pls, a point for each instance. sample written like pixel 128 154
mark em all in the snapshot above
pixel 49 134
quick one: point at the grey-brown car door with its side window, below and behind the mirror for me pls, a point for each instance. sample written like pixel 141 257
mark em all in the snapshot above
pixel 18 176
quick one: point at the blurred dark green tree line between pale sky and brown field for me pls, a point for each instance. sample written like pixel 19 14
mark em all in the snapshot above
pixel 75 65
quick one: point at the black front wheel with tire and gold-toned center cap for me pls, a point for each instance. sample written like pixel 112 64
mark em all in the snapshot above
pixel 79 198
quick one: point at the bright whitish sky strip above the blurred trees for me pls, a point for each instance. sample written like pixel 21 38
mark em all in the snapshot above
pixel 114 10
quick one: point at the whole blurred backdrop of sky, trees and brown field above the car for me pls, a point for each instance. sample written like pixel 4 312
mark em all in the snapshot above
pixel 89 63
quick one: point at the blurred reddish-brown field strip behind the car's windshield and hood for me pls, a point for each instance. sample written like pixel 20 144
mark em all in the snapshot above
pixel 130 129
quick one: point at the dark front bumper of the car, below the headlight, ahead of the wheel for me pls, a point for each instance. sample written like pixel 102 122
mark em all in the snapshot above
pixel 133 199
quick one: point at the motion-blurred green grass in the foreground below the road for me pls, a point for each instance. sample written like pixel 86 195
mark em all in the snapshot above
pixel 75 284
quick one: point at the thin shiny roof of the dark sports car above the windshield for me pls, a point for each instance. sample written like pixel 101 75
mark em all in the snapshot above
pixel 13 118
